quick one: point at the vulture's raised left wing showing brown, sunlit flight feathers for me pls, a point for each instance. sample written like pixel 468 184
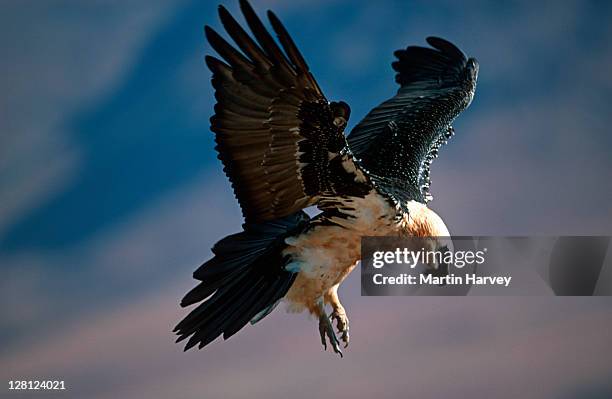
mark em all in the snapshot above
pixel 276 132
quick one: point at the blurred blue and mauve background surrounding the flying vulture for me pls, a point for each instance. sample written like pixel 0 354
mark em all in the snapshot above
pixel 111 195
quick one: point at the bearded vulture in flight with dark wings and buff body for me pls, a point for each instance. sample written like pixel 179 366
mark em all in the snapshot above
pixel 283 148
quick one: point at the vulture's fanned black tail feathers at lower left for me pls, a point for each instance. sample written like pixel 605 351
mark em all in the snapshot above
pixel 242 283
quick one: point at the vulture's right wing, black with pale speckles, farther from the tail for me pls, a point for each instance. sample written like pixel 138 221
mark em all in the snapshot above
pixel 397 141
